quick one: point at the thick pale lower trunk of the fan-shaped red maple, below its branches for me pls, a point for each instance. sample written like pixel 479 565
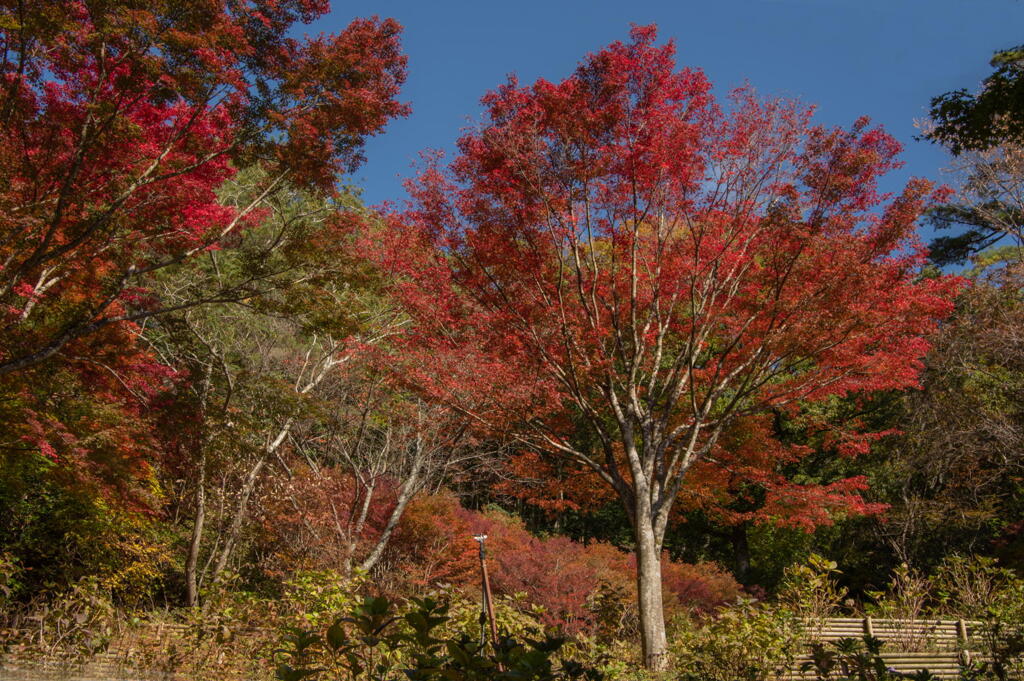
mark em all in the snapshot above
pixel 653 633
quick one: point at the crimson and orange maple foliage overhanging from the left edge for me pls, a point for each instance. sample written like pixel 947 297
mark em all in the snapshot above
pixel 120 122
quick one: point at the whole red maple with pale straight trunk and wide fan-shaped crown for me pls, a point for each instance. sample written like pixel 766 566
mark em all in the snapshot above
pixel 617 268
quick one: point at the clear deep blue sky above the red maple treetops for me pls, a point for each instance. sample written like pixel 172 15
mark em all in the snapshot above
pixel 884 59
